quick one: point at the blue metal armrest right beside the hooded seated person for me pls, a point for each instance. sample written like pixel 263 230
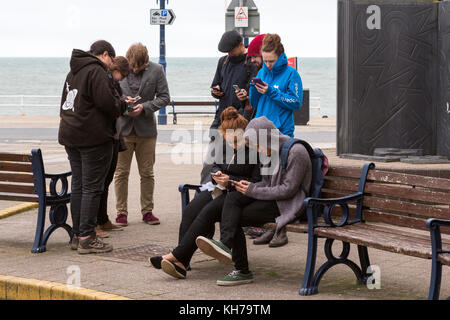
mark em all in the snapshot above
pixel 314 210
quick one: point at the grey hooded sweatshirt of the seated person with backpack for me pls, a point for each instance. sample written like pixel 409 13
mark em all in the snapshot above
pixel 285 188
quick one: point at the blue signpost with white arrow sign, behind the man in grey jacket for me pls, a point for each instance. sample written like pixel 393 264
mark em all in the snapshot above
pixel 162 17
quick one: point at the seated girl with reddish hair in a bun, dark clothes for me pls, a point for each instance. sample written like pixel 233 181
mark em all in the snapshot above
pixel 205 209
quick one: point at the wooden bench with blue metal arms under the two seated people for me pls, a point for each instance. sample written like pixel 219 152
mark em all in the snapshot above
pixel 384 210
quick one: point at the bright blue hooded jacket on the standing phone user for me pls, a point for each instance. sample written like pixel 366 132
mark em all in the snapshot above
pixel 284 95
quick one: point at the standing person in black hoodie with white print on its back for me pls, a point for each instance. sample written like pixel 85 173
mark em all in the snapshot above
pixel 89 108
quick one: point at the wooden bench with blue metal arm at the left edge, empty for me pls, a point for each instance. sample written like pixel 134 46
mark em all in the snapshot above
pixel 24 179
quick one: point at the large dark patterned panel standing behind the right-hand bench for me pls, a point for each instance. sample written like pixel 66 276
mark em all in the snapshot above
pixel 393 74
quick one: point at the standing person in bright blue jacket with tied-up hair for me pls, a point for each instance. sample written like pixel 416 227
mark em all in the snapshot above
pixel 280 92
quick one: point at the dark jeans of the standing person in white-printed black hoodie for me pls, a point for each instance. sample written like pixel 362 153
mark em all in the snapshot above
pixel 89 167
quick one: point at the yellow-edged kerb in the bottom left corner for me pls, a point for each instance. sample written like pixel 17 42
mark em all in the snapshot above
pixel 14 288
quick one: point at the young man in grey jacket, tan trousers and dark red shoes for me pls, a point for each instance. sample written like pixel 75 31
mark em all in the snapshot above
pixel 138 127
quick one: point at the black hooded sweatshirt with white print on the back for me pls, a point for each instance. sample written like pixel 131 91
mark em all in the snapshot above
pixel 89 103
